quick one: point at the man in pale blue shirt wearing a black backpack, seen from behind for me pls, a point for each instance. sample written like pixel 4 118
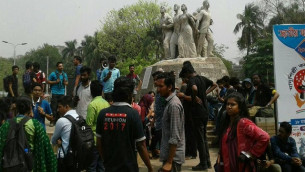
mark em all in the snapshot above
pixel 74 138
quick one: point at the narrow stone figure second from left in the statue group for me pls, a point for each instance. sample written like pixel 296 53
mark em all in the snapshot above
pixel 175 35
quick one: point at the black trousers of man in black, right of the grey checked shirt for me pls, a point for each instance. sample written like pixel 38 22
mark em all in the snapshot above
pixel 200 129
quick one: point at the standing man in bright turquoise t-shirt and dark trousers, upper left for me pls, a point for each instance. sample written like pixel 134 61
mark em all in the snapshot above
pixel 57 80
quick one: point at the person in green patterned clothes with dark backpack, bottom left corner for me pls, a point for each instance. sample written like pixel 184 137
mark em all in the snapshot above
pixel 24 145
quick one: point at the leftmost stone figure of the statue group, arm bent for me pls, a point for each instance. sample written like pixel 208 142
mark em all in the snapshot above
pixel 167 24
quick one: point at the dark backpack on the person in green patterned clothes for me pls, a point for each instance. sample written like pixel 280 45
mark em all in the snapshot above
pixel 17 156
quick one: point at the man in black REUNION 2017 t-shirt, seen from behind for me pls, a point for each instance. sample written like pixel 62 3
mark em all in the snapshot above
pixel 119 130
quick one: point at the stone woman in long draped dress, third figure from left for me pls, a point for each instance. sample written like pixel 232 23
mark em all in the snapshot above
pixel 186 44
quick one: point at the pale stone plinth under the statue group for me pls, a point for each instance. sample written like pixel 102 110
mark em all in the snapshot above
pixel 210 67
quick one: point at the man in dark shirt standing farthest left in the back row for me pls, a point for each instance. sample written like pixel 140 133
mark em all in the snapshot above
pixel 10 83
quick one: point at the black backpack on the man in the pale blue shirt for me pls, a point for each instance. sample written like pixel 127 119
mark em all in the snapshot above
pixel 81 144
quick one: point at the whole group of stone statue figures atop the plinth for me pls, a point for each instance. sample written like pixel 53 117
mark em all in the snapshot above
pixel 185 35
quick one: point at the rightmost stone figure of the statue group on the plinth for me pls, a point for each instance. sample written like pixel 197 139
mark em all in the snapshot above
pixel 203 23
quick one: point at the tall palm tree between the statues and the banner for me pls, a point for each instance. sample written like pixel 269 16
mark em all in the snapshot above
pixel 250 25
